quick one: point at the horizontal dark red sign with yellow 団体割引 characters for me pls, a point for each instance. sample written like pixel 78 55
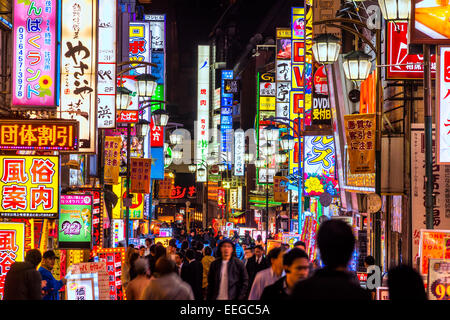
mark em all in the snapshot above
pixel 58 135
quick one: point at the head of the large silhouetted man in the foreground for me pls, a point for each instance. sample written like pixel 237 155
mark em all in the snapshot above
pixel 336 243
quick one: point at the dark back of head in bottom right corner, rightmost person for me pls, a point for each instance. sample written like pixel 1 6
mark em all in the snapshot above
pixel 405 283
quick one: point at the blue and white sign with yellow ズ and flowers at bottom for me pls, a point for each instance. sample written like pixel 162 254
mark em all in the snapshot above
pixel 319 166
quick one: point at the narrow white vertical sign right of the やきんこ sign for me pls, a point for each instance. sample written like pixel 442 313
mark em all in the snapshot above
pixel 106 74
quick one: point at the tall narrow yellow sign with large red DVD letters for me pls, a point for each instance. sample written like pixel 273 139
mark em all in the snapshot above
pixel 297 95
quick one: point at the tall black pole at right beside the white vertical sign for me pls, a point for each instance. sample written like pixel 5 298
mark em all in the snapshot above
pixel 428 137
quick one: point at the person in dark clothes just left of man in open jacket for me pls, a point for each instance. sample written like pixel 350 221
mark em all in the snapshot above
pixel 192 273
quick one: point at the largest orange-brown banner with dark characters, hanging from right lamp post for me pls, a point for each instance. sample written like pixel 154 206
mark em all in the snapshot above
pixel 360 135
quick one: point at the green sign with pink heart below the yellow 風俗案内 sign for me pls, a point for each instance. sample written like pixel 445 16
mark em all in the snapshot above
pixel 75 222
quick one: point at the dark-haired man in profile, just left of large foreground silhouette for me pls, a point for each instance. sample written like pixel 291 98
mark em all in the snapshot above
pixel 296 267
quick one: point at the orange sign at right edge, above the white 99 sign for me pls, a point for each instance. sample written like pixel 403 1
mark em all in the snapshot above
pixel 432 245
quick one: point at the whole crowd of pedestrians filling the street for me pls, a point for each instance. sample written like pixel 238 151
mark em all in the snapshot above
pixel 206 266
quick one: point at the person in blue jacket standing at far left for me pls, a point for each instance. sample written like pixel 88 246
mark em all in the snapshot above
pixel 52 285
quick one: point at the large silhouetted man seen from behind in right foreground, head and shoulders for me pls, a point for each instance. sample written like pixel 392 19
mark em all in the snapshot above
pixel 336 243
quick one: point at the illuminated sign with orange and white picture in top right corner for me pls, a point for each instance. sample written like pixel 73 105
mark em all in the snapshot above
pixel 429 22
